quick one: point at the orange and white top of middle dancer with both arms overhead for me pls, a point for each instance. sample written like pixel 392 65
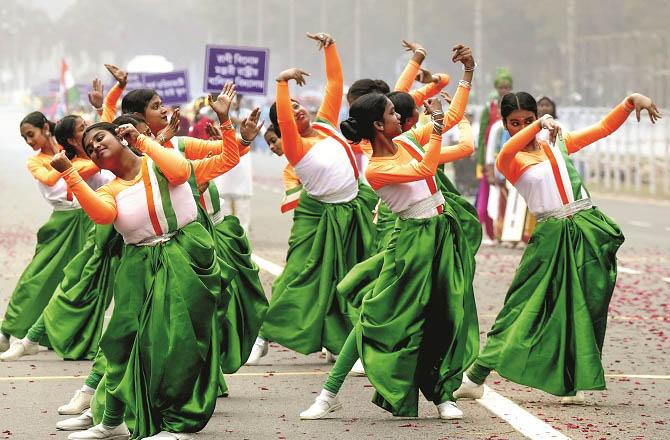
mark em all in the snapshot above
pixel 324 162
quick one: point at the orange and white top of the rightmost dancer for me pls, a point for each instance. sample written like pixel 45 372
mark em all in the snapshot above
pixel 545 178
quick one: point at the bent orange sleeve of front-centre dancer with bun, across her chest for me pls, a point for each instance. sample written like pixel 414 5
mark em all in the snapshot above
pixel 385 172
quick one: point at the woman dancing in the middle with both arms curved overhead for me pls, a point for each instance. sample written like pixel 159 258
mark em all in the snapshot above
pixel 332 224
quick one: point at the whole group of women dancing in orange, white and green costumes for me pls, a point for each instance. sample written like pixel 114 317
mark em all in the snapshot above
pixel 379 270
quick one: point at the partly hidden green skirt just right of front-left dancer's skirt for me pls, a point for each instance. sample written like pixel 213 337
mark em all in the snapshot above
pixel 241 320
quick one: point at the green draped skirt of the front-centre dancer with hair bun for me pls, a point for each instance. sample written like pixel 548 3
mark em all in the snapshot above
pixel 418 327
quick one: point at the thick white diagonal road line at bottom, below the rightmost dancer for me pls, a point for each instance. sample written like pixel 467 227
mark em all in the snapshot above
pixel 520 419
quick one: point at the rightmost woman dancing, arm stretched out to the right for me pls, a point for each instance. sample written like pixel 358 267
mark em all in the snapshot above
pixel 549 334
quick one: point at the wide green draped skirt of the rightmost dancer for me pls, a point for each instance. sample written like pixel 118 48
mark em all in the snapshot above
pixel 550 332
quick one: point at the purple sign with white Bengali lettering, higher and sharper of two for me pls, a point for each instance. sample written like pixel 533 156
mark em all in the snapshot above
pixel 247 67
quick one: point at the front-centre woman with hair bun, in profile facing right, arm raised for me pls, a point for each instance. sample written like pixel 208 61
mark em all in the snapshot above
pixel 418 326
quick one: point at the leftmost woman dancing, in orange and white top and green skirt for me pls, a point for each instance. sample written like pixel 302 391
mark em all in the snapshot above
pixel 58 240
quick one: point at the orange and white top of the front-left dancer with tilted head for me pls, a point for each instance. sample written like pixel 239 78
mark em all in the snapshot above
pixel 159 201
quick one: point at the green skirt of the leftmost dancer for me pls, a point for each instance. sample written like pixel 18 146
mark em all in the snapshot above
pixel 58 242
